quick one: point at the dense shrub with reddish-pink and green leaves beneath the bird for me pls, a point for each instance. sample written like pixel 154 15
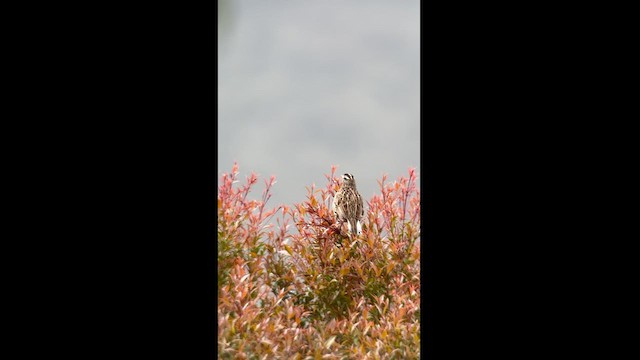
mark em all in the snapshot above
pixel 301 288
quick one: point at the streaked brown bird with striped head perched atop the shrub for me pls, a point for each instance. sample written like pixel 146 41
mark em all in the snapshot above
pixel 347 204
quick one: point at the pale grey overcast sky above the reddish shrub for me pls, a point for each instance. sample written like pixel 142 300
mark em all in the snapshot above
pixel 303 85
